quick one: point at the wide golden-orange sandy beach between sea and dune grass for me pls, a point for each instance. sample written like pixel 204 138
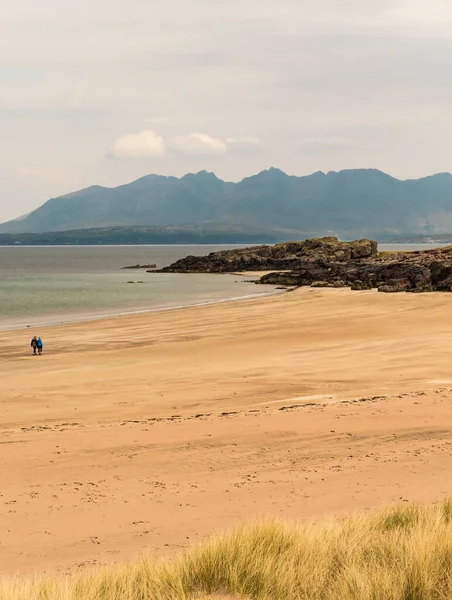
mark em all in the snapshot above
pixel 144 434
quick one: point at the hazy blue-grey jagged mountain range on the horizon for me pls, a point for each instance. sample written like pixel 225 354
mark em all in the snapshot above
pixel 349 204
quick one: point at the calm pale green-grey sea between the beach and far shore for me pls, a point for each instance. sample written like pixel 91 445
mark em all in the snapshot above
pixel 46 285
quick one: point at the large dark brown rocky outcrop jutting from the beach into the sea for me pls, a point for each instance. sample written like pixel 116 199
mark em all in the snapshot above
pixel 326 262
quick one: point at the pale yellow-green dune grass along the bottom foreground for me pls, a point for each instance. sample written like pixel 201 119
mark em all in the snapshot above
pixel 402 553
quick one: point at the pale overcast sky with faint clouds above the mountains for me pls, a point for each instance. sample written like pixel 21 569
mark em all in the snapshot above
pixel 106 91
